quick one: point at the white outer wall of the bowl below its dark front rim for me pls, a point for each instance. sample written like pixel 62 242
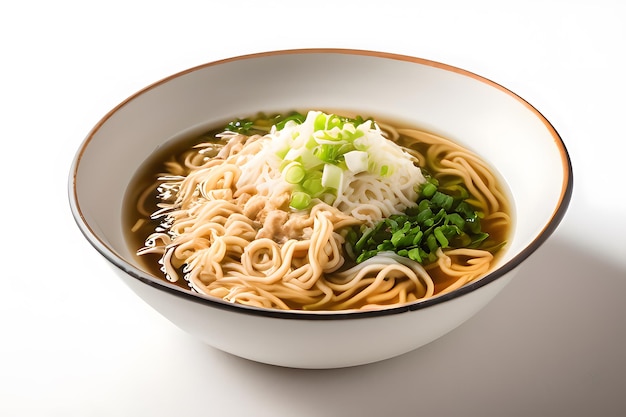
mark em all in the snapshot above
pixel 315 344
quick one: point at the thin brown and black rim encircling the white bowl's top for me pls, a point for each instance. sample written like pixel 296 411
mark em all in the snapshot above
pixel 157 283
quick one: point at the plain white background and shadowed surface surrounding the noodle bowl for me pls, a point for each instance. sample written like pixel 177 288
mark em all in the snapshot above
pixel 76 342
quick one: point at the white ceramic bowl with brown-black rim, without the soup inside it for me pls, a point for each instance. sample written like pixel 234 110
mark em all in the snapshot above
pixel 503 128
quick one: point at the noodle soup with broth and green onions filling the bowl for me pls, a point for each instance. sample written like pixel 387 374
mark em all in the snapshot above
pixel 317 211
